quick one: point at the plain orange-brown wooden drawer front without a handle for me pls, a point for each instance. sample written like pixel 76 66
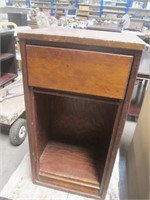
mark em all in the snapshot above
pixel 79 71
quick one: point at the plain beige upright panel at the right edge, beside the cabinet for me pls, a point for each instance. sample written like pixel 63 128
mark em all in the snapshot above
pixel 138 156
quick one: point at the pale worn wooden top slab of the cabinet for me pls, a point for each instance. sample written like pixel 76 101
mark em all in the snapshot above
pixel 85 37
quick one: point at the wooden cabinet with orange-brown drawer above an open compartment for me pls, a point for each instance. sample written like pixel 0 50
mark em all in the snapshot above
pixel 81 129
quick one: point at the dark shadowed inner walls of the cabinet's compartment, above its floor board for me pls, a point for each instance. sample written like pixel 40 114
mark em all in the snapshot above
pixel 75 121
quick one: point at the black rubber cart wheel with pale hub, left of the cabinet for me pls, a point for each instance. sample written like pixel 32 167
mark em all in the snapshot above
pixel 18 132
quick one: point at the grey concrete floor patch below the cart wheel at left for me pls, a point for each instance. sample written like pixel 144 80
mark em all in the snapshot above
pixel 10 156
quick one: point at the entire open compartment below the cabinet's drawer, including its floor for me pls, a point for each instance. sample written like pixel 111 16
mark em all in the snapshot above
pixel 73 136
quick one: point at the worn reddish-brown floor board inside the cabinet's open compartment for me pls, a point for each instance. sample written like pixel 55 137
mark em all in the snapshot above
pixel 72 162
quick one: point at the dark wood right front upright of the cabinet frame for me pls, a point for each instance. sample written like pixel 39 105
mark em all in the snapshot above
pixel 119 124
